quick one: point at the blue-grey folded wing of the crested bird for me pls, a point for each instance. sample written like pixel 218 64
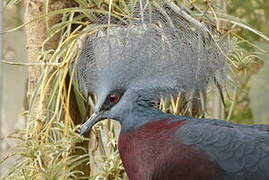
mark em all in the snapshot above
pixel 241 151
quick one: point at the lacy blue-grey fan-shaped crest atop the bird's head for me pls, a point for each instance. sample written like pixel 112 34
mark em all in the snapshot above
pixel 157 58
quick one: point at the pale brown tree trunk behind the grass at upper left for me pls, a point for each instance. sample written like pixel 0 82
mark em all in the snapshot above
pixel 36 34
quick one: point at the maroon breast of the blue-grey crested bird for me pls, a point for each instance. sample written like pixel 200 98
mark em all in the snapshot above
pixel 153 152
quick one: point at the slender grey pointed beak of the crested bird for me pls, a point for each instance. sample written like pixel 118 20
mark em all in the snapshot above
pixel 95 118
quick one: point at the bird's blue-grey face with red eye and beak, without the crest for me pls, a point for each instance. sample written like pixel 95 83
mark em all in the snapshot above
pixel 129 107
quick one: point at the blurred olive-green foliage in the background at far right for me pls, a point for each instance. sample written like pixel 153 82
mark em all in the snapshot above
pixel 256 14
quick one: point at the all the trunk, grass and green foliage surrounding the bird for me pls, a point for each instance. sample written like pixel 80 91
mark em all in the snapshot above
pixel 49 146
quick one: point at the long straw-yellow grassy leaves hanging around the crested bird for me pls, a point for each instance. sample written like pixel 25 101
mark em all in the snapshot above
pixel 49 147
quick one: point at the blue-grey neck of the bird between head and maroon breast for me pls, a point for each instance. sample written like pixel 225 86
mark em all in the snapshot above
pixel 142 116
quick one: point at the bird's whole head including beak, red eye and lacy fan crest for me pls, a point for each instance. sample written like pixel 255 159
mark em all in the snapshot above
pixel 130 67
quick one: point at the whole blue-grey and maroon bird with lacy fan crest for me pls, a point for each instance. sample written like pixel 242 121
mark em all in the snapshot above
pixel 130 67
